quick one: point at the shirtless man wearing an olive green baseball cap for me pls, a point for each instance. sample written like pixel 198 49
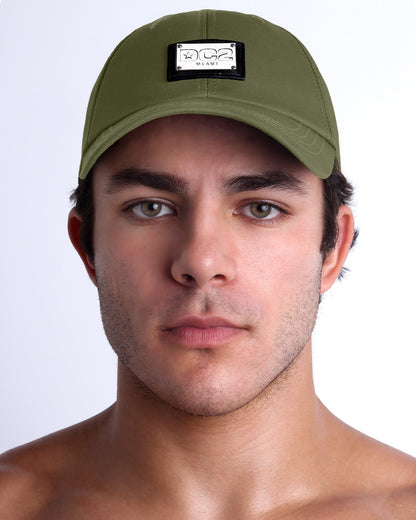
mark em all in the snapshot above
pixel 211 214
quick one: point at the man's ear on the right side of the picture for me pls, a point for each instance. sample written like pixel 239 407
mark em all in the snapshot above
pixel 335 259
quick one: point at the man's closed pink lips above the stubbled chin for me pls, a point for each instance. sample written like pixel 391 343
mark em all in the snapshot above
pixel 202 332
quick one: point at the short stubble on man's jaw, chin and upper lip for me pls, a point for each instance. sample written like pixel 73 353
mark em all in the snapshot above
pixel 210 391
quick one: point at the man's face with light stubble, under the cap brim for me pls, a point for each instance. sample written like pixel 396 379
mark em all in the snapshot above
pixel 207 259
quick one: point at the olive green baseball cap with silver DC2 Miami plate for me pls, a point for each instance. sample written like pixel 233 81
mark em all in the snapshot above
pixel 218 63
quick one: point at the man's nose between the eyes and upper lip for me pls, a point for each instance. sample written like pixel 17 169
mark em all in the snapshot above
pixel 203 255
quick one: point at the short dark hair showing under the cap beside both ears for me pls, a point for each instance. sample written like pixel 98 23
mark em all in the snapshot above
pixel 337 192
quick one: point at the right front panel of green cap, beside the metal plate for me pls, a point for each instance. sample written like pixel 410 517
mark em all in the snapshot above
pixel 278 73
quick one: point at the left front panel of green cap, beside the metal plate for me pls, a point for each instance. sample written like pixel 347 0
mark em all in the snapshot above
pixel 135 74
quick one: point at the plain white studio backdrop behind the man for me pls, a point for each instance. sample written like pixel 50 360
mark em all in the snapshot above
pixel 56 366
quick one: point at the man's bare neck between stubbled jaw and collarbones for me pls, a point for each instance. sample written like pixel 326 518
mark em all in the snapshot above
pixel 273 443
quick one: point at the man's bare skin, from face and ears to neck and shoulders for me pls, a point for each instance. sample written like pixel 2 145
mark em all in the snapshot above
pixel 212 420
